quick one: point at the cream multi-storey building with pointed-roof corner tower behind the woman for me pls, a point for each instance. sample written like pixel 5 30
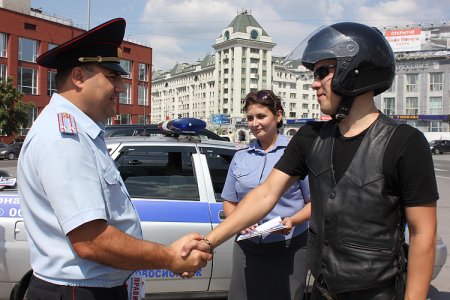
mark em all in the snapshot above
pixel 213 89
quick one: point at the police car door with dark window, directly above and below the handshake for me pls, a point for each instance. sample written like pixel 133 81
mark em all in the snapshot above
pixel 168 193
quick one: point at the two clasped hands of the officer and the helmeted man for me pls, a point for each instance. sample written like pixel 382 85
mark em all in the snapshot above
pixel 191 252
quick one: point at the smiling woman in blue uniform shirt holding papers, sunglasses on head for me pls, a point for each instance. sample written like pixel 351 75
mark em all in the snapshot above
pixel 272 266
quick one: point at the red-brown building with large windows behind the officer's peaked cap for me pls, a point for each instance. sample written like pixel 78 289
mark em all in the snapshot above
pixel 25 33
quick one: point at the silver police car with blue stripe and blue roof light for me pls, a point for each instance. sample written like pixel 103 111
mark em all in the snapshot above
pixel 175 181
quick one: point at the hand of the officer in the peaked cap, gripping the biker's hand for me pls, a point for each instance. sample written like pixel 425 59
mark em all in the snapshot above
pixel 188 264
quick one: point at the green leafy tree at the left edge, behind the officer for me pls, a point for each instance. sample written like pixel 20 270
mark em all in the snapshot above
pixel 13 111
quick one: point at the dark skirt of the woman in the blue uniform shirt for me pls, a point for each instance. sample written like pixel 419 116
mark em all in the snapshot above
pixel 273 271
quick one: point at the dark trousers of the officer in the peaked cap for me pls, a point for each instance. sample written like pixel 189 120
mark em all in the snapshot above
pixel 43 290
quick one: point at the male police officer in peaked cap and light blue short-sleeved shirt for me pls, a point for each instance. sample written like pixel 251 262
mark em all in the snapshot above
pixel 84 233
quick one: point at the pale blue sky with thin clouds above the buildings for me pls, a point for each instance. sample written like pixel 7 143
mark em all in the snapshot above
pixel 184 30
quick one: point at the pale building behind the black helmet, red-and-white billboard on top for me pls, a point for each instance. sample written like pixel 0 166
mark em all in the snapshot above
pixel 420 94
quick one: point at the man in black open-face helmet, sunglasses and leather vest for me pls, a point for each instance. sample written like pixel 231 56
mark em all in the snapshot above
pixel 368 177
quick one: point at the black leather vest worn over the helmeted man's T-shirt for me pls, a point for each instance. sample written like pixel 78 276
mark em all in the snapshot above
pixel 356 229
